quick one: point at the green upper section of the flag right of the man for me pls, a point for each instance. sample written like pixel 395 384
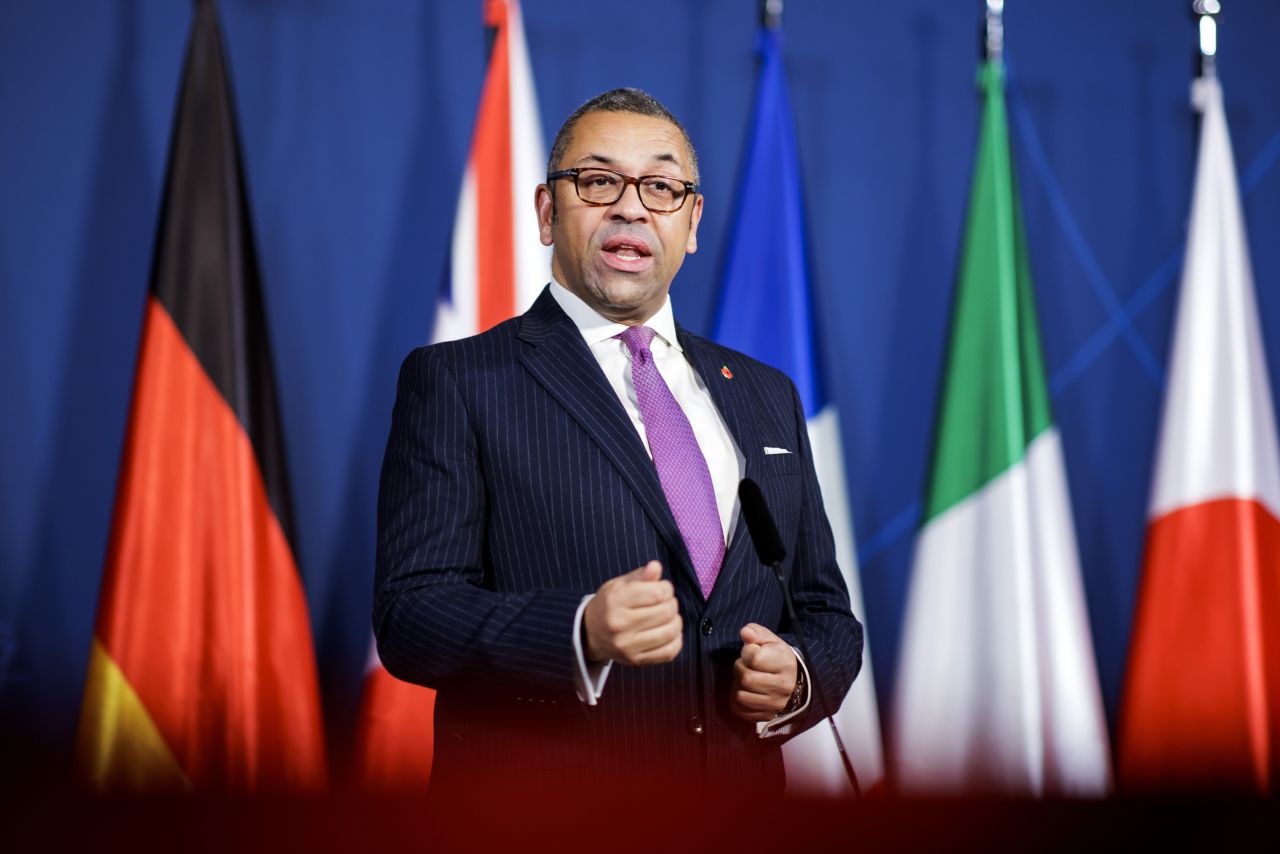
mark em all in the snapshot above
pixel 994 398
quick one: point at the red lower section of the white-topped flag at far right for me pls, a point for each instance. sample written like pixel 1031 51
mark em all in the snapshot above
pixel 1203 700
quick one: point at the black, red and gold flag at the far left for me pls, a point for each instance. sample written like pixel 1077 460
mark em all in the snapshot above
pixel 203 674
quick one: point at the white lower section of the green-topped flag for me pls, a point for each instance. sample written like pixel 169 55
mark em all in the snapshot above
pixel 998 688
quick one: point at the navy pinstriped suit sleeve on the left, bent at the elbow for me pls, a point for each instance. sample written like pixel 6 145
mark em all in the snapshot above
pixel 436 618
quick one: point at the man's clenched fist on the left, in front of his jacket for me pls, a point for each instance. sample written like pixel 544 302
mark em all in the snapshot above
pixel 634 619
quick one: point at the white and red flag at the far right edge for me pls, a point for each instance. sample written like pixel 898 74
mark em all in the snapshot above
pixel 1203 695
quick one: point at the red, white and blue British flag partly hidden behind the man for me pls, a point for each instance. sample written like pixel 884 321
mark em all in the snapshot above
pixel 497 268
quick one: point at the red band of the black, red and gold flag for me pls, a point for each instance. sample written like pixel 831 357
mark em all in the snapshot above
pixel 203 608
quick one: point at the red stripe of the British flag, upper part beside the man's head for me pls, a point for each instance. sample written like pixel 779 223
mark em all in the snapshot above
pixel 491 165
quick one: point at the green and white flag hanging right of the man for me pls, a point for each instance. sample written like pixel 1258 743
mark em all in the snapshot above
pixel 998 688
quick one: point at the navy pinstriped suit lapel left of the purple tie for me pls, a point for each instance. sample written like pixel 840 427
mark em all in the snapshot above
pixel 563 364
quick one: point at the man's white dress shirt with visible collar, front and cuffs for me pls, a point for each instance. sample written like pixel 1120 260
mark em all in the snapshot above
pixel 724 458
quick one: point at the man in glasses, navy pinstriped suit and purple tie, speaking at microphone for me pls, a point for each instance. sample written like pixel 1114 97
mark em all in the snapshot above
pixel 560 550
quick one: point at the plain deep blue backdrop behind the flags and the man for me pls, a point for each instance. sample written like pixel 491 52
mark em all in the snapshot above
pixel 355 124
